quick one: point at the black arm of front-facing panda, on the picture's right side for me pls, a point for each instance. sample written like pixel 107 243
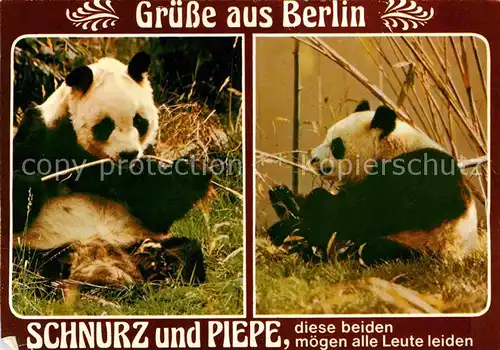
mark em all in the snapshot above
pixel 158 195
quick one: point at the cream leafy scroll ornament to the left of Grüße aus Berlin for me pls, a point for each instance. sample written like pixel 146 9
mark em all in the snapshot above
pixel 96 14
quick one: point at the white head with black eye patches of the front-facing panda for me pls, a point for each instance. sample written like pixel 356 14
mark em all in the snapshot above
pixel 111 107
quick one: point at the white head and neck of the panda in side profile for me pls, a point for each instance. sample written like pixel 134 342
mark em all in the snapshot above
pixel 354 144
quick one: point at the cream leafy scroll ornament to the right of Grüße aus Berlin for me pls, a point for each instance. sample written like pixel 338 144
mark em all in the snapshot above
pixel 406 14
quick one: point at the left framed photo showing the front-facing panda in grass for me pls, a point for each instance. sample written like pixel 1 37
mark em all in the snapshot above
pixel 127 176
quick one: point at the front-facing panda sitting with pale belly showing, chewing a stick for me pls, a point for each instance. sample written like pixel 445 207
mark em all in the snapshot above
pixel 106 224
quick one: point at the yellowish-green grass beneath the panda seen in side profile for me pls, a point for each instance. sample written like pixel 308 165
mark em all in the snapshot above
pixel 288 285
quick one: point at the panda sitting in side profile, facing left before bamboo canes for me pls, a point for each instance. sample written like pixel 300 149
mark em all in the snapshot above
pixel 400 194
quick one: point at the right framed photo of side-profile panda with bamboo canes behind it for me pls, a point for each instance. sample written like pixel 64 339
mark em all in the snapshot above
pixel 372 175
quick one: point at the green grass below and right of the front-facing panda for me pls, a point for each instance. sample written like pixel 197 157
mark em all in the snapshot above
pixel 221 235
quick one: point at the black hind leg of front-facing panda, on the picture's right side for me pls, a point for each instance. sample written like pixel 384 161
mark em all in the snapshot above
pixel 176 258
